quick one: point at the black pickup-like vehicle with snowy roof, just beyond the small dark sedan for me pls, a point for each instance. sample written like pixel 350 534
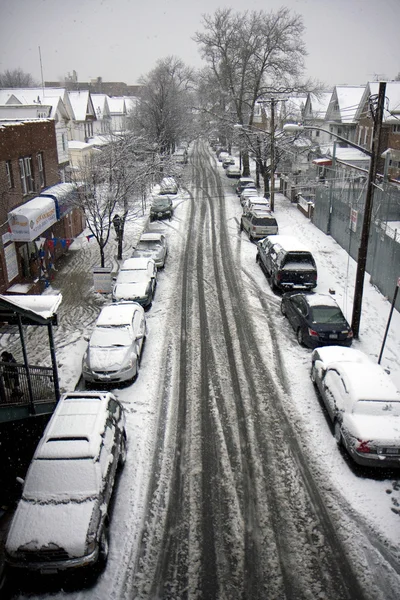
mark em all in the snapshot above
pixel 287 263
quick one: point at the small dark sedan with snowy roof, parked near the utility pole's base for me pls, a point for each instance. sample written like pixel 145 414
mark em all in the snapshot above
pixel 316 319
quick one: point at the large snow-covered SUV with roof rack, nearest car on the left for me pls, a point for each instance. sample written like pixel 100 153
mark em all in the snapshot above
pixel 61 521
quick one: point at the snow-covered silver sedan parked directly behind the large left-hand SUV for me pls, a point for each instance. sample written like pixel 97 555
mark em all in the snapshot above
pixel 115 346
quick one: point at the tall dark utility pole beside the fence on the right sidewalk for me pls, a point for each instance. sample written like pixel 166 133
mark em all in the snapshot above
pixel 363 249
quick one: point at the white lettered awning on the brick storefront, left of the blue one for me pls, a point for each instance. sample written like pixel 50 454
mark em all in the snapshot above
pixel 31 219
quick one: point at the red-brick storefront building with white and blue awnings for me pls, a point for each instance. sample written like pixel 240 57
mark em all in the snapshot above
pixel 38 218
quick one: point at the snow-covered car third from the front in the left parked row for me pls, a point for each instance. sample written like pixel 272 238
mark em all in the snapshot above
pixel 136 281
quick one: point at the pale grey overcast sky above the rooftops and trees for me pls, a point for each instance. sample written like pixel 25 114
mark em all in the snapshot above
pixel 348 41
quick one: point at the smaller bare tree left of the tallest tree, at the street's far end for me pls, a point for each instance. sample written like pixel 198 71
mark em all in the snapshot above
pixel 164 108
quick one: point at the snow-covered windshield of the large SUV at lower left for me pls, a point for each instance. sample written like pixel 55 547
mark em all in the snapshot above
pixel 62 479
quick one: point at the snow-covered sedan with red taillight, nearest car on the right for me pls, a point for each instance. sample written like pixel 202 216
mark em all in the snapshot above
pixel 362 403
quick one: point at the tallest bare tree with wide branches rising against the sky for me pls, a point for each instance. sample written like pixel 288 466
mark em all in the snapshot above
pixel 251 56
